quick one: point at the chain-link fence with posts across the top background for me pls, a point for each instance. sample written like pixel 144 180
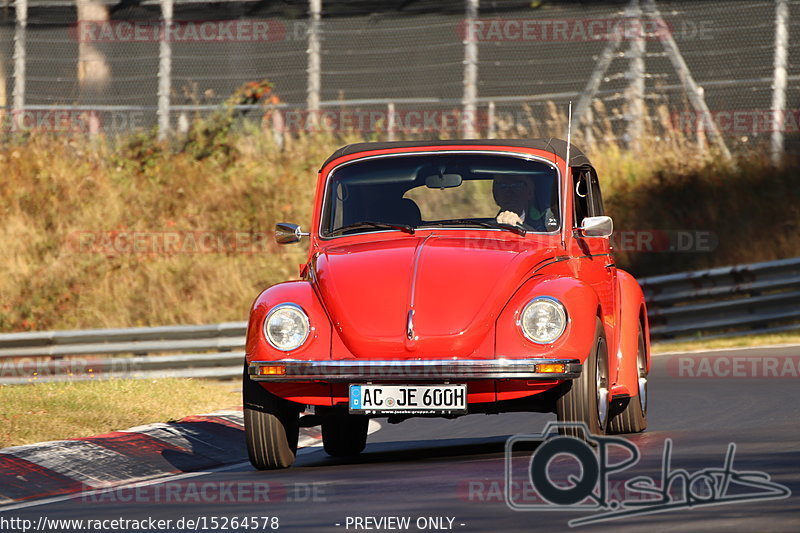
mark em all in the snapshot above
pixel 716 71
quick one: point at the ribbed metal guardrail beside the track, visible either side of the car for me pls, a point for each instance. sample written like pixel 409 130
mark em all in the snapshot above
pixel 719 302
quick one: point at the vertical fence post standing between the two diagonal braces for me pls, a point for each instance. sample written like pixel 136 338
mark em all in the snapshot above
pixel 635 96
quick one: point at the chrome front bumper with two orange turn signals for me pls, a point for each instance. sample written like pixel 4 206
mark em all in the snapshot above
pixel 289 370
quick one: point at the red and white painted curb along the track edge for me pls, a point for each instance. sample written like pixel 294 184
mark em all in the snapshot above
pixel 193 444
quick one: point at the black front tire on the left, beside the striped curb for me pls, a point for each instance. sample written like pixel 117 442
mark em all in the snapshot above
pixel 271 426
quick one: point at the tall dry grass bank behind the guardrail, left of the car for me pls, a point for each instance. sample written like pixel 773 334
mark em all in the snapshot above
pixel 55 191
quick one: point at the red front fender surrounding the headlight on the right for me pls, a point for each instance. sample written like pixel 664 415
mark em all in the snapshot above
pixel 581 304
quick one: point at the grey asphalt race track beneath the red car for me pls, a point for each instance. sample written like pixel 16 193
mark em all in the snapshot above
pixel 455 469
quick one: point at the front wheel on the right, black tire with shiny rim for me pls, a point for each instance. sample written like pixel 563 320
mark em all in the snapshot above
pixel 580 400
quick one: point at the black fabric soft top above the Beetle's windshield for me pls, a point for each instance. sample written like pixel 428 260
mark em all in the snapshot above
pixel 552 145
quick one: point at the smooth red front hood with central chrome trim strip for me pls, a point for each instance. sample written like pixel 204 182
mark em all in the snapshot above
pixel 453 287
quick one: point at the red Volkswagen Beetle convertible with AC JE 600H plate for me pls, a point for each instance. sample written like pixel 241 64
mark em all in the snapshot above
pixel 447 278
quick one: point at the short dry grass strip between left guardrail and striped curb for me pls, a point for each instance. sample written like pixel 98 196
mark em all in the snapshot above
pixel 54 411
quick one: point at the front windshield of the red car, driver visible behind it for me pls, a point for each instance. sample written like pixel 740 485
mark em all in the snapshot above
pixel 408 192
